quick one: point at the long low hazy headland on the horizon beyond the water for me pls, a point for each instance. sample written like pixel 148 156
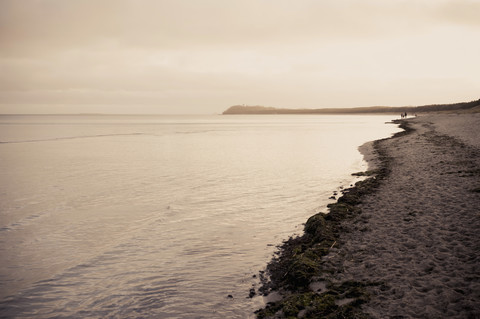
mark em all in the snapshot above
pixel 473 106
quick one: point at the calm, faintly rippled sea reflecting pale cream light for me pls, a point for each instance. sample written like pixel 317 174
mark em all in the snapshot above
pixel 160 216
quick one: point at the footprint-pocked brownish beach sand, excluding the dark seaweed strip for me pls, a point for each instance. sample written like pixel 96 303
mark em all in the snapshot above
pixel 418 235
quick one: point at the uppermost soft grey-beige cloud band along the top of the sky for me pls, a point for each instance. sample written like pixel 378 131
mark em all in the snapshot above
pixel 51 25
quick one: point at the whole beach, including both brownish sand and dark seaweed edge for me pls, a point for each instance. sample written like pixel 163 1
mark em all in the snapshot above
pixel 390 246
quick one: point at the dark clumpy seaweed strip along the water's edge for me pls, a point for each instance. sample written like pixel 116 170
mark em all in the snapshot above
pixel 298 260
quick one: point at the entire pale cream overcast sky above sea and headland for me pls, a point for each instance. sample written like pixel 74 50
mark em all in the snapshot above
pixel 202 56
